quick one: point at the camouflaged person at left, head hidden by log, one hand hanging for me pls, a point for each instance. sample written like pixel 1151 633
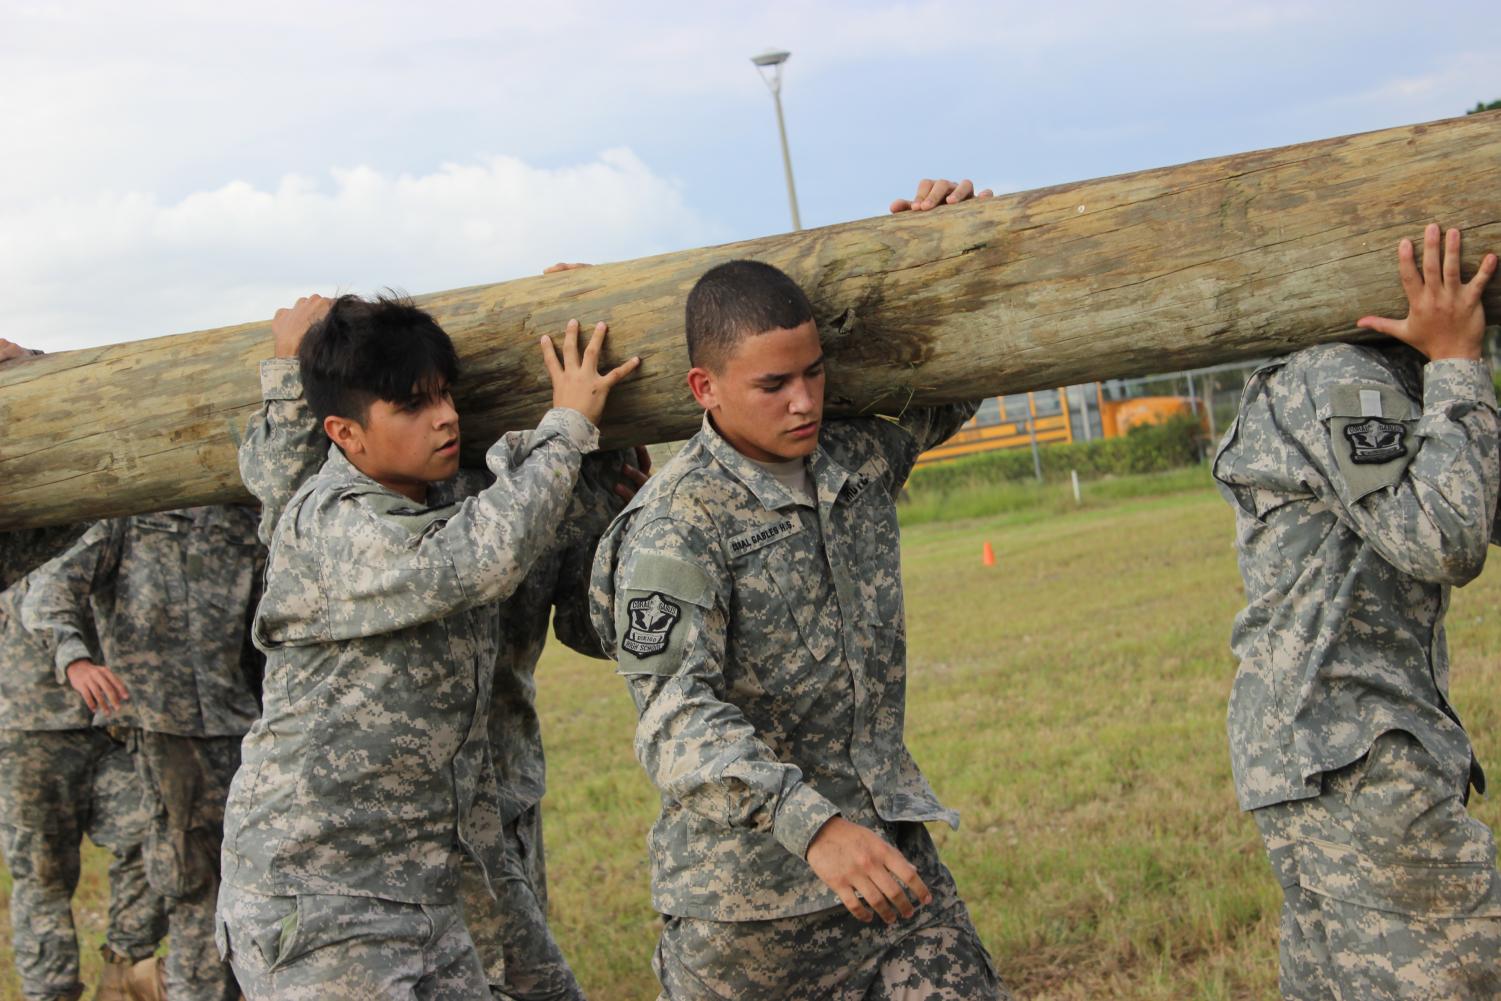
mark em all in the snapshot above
pixel 173 594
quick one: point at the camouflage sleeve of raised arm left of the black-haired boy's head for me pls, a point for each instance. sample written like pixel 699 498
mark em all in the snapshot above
pixel 283 443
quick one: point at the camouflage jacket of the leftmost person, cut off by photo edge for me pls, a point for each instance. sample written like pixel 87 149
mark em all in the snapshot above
pixel 31 697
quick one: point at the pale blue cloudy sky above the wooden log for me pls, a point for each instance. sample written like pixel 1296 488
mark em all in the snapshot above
pixel 182 166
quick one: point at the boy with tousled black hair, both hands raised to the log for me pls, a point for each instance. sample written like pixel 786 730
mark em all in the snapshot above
pixel 370 781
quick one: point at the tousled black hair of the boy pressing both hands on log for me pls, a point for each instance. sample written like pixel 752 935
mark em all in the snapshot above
pixel 367 350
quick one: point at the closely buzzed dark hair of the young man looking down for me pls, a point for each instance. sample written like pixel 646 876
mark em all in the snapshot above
pixel 736 301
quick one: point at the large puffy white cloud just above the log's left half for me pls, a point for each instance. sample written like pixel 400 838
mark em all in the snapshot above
pixel 124 266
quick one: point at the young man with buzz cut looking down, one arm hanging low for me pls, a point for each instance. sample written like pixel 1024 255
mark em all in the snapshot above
pixel 753 598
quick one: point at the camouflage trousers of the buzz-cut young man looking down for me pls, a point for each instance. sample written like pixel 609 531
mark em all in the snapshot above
pixel 931 957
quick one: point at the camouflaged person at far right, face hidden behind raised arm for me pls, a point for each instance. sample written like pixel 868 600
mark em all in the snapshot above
pixel 1365 487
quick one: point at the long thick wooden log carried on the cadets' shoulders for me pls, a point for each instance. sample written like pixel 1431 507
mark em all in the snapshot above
pixel 1158 271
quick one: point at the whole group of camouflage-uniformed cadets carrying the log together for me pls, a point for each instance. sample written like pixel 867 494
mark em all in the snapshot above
pixel 382 834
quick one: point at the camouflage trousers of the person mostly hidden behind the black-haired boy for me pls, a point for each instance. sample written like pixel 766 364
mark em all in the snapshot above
pixel 511 933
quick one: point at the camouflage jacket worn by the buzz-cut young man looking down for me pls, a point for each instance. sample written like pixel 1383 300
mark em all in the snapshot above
pixel 765 645
